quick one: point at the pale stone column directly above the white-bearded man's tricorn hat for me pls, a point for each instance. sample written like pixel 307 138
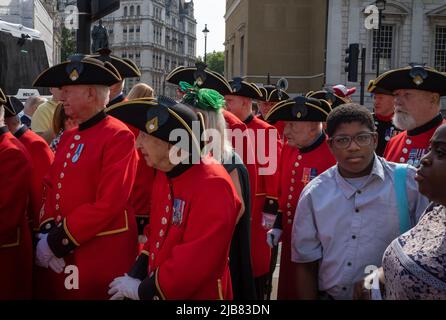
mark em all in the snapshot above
pixel 416 48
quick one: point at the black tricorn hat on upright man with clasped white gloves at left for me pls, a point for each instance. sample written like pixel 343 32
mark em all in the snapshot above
pixel 78 70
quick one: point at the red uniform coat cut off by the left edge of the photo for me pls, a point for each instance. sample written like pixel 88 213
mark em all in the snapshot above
pixel 15 235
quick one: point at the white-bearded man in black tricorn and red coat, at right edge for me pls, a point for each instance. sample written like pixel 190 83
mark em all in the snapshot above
pixel 416 91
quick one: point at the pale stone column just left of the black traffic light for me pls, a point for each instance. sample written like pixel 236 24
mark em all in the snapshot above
pixel 334 42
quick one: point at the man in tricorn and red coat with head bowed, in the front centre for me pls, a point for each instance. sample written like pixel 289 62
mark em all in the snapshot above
pixel 194 209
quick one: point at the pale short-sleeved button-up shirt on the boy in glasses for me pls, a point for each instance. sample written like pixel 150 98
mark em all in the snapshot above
pixel 348 229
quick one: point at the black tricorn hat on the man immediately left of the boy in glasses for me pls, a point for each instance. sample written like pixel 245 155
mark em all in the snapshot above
pixel 299 108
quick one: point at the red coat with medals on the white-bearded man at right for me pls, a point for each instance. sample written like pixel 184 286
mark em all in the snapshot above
pixel 410 146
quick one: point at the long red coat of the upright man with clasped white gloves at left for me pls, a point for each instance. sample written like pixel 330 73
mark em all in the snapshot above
pixel 87 192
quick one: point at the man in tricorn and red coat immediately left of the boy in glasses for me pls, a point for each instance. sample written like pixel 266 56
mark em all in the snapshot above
pixel 305 155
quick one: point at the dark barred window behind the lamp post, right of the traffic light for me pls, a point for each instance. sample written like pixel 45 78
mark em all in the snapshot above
pixel 387 48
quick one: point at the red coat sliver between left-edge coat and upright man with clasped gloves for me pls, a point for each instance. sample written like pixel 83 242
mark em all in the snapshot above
pixel 42 158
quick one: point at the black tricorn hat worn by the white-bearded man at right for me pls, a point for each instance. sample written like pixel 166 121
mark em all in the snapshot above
pixel 415 76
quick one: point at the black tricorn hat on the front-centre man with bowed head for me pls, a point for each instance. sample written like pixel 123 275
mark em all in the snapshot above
pixel 159 117
